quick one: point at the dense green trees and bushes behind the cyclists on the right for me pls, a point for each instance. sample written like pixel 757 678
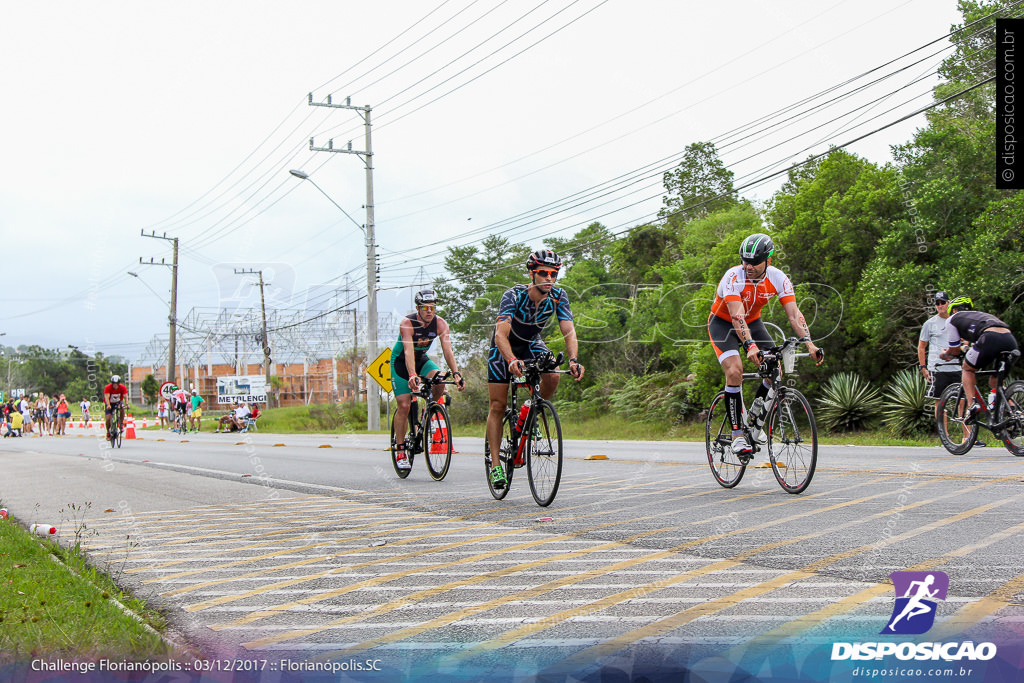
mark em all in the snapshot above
pixel 866 245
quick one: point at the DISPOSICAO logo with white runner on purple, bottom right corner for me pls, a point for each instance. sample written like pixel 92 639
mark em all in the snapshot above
pixel 914 614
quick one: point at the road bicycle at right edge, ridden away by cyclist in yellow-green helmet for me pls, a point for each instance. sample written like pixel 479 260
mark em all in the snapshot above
pixel 959 432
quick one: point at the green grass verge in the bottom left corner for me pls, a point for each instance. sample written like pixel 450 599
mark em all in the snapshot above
pixel 49 612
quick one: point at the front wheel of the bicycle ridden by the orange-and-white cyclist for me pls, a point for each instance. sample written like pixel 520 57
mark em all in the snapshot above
pixel 793 442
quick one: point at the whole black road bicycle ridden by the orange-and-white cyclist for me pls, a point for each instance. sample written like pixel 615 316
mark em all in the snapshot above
pixel 786 425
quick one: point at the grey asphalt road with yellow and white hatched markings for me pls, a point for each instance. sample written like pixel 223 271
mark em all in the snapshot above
pixel 310 548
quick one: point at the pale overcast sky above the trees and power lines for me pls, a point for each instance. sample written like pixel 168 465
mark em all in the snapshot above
pixel 186 117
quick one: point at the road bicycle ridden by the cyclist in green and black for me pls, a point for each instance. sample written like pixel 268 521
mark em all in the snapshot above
pixel 433 436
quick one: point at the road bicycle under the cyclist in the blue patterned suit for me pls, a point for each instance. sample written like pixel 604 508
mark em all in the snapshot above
pixel 532 436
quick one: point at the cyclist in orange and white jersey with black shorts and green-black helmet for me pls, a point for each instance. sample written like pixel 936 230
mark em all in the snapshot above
pixel 736 321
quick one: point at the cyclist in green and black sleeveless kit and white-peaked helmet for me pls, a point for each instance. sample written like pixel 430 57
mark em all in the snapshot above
pixel 416 333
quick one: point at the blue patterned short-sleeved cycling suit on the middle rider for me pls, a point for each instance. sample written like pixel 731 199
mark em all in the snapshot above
pixel 528 321
